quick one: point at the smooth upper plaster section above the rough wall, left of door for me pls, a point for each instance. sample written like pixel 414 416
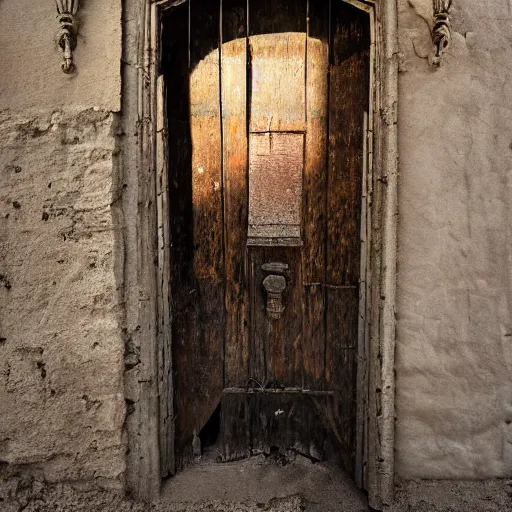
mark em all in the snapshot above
pixel 30 58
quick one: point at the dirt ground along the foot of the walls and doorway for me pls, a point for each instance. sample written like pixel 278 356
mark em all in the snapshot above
pixel 268 484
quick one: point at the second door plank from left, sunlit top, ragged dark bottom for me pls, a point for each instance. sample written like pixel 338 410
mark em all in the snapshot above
pixel 206 379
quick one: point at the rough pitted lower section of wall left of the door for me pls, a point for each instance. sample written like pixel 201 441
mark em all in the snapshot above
pixel 61 348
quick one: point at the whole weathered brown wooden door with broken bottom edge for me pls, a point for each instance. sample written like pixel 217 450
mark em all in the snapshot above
pixel 266 102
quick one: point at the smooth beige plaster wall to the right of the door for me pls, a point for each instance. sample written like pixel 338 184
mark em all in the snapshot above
pixel 454 341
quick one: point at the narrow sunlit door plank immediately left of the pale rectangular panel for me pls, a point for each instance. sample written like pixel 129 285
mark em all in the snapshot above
pixel 234 118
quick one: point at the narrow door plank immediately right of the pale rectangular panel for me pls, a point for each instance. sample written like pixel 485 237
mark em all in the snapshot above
pixel 315 190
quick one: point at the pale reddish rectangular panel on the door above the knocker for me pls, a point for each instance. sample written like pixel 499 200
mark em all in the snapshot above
pixel 276 162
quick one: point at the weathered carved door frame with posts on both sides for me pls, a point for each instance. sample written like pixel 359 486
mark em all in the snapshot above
pixel 145 267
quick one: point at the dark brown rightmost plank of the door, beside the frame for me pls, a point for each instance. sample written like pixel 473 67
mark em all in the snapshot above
pixel 348 94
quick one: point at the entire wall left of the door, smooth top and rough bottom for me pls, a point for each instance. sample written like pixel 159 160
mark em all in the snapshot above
pixel 61 318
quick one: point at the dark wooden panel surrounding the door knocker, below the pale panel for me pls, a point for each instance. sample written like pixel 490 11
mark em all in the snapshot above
pixel 276 344
